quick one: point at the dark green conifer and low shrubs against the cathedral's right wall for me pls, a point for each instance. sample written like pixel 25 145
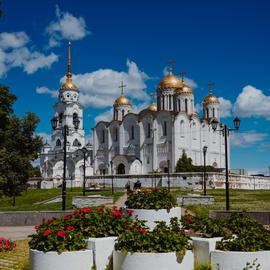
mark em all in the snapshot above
pixel 184 164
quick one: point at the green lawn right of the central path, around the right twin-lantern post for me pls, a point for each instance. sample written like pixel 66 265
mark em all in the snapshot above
pixel 249 200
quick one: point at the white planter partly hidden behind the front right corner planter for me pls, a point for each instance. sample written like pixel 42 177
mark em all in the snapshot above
pixel 202 248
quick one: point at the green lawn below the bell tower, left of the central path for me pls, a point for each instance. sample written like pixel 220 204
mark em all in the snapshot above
pixel 28 198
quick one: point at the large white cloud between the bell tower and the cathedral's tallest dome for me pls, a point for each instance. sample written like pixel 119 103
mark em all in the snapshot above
pixel 100 88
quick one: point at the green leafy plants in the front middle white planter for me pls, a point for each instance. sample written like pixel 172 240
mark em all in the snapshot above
pixel 162 239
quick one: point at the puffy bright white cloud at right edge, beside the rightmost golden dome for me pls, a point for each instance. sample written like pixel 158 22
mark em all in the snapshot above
pixel 252 102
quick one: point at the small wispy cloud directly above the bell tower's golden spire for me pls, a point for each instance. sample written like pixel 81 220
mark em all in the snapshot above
pixel 66 26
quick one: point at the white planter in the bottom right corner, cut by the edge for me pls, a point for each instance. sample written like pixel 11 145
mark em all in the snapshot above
pixel 236 260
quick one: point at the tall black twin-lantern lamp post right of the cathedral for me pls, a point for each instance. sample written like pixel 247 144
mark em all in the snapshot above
pixel 225 131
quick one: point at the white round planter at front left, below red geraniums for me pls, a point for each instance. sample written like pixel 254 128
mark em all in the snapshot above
pixel 69 260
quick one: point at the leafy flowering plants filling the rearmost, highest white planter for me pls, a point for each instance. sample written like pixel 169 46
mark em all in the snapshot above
pixel 158 198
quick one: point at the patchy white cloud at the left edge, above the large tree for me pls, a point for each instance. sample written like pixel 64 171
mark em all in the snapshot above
pixel 14 53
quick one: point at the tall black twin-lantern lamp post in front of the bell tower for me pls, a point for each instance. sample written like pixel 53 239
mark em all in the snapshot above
pixel 65 132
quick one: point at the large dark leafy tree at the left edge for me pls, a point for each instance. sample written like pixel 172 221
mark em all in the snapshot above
pixel 18 146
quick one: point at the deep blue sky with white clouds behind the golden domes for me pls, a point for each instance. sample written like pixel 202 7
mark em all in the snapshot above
pixel 224 41
